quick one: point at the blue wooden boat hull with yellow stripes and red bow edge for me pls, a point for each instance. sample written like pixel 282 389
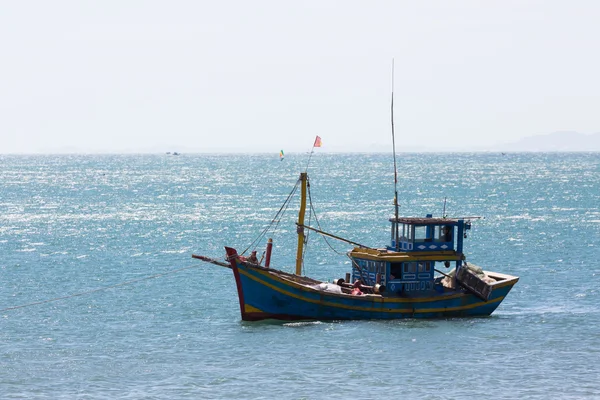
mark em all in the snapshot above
pixel 271 294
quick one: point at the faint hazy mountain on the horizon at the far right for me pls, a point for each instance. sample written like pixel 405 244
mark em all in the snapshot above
pixel 556 141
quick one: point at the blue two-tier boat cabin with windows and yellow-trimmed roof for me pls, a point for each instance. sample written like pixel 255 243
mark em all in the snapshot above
pixel 418 247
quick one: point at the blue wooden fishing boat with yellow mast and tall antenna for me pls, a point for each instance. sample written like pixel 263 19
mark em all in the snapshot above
pixel 421 273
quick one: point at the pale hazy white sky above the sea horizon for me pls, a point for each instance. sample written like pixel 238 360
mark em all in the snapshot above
pixel 205 76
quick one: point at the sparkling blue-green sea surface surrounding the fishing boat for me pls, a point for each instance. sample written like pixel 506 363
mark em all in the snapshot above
pixel 100 298
